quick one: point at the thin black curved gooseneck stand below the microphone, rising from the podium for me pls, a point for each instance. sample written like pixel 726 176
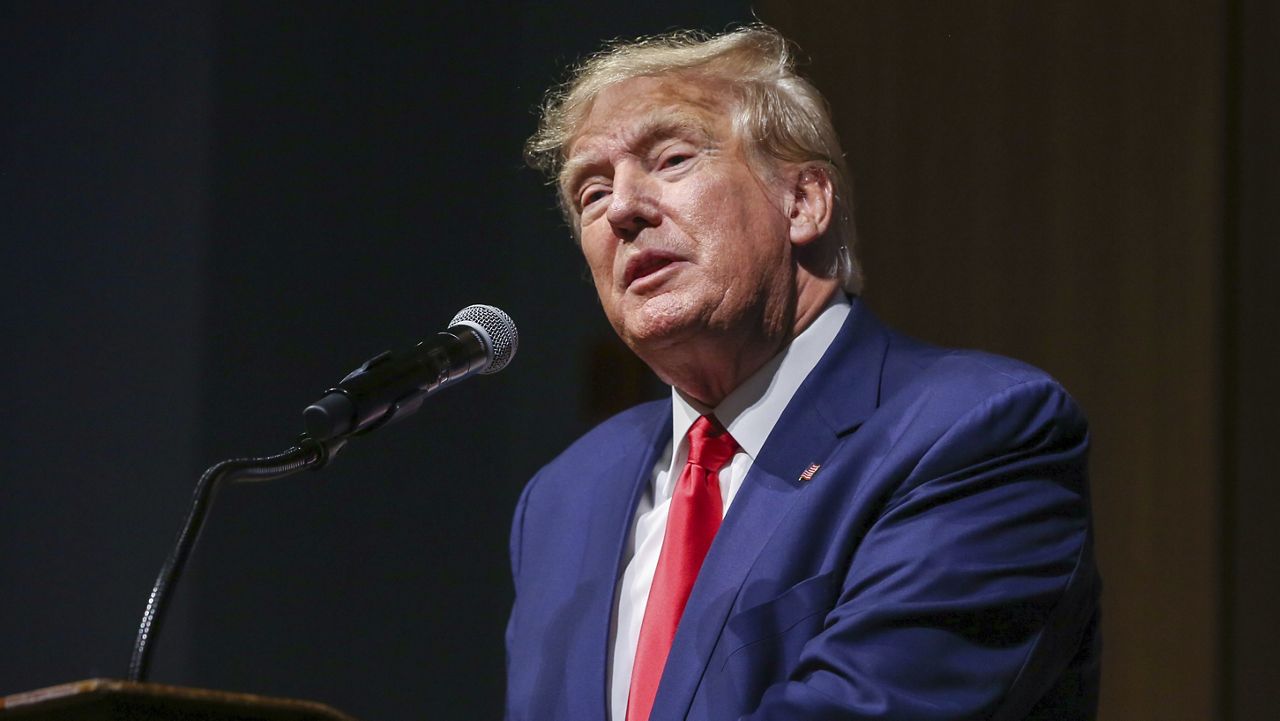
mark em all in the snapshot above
pixel 308 454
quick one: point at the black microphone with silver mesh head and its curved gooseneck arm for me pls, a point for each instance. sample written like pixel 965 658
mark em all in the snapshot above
pixel 481 340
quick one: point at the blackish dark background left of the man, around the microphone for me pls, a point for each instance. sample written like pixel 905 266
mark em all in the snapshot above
pixel 216 211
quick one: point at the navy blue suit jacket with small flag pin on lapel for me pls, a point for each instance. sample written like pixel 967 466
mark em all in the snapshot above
pixel 938 567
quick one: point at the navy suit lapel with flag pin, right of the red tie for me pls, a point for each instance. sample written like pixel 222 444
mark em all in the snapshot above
pixel 839 395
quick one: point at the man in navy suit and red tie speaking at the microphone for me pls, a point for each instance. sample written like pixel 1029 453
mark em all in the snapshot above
pixel 826 521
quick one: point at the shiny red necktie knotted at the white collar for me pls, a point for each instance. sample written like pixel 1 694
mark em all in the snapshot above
pixel 692 524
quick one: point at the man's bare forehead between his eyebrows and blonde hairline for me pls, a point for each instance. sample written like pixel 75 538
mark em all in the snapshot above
pixel 639 109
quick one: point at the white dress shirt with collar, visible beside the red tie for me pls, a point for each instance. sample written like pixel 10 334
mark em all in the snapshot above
pixel 749 414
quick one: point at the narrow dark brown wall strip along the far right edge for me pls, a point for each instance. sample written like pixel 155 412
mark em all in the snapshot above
pixel 1252 355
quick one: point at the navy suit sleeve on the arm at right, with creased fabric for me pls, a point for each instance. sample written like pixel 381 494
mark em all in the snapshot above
pixel 975 585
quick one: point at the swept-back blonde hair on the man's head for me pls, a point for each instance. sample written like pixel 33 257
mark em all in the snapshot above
pixel 781 116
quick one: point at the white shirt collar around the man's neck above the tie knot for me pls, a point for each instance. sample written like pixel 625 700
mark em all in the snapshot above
pixel 755 408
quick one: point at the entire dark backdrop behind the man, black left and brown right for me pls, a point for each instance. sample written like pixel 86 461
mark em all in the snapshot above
pixel 212 212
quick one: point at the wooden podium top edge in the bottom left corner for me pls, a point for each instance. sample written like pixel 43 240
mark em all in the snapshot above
pixel 106 700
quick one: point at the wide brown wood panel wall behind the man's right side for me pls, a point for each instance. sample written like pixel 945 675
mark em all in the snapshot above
pixel 1046 181
